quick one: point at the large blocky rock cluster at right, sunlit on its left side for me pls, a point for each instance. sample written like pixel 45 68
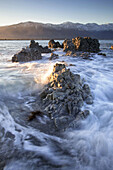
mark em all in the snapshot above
pixel 85 44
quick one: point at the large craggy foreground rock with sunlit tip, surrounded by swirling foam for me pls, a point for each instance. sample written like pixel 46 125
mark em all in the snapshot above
pixel 64 96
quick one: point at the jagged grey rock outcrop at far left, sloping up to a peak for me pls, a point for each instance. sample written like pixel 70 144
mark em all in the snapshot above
pixel 33 52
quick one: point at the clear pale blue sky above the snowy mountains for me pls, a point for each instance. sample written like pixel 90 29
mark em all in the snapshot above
pixel 56 11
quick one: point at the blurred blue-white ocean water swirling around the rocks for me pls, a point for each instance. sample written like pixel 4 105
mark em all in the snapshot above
pixel 26 146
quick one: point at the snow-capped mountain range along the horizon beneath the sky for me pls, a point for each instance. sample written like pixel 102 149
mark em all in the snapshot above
pixel 35 30
